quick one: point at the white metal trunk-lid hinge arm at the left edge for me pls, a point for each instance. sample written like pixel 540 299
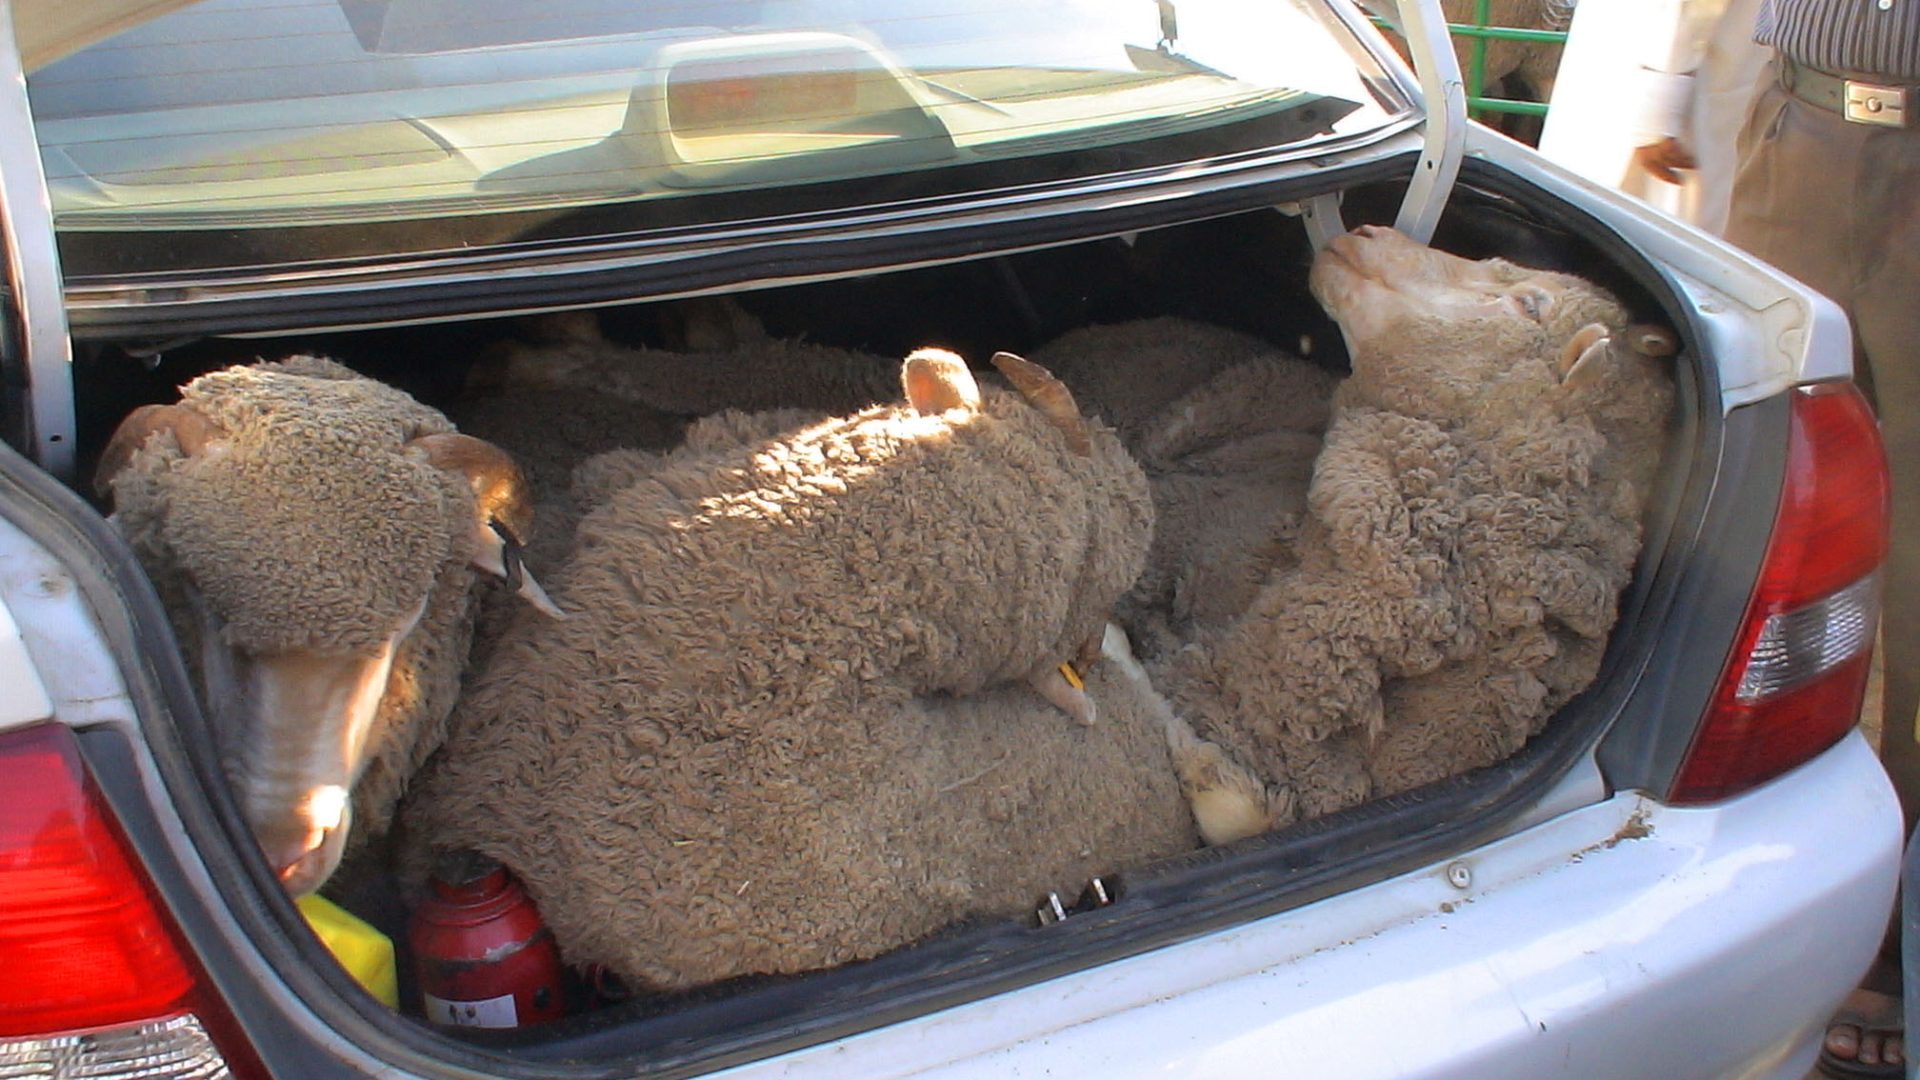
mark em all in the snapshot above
pixel 34 270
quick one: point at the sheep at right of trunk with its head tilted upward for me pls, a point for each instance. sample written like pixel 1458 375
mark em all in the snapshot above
pixel 1472 520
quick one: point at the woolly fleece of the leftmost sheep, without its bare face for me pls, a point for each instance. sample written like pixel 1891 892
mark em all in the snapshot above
pixel 312 531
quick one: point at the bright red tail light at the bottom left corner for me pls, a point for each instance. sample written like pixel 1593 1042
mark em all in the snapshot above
pixel 93 977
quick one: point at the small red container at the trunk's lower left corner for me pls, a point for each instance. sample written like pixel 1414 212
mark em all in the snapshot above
pixel 481 952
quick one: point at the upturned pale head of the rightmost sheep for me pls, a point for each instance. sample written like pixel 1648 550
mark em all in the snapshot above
pixel 1429 333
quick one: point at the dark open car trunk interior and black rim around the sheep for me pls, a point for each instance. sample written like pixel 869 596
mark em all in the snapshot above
pixel 1241 270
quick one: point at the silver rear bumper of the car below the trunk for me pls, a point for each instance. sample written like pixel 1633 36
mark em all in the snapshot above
pixel 1625 939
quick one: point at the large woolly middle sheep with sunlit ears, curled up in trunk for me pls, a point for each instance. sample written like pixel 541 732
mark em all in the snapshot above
pixel 794 718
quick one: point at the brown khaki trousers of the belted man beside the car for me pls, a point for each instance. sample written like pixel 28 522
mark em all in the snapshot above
pixel 1838 207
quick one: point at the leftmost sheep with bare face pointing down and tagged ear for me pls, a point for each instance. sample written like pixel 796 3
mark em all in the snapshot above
pixel 316 537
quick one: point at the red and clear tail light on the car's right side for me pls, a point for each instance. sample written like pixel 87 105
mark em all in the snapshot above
pixel 1798 674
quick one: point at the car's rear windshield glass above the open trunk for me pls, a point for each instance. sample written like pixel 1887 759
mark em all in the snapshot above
pixel 260 132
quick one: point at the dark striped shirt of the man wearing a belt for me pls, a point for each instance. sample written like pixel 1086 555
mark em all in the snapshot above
pixel 1852 37
